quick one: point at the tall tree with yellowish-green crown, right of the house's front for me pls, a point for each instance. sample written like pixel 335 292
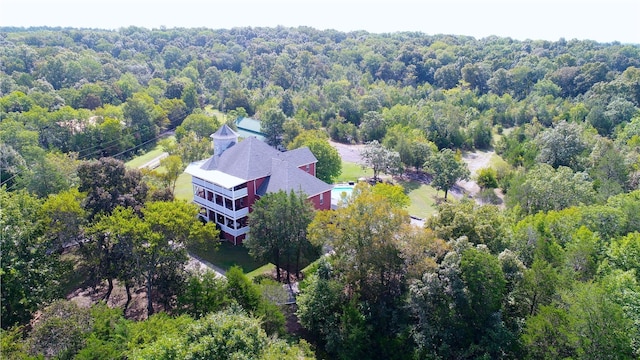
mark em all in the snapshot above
pixel 362 234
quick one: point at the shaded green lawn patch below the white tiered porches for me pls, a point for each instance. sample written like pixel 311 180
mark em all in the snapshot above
pixel 227 256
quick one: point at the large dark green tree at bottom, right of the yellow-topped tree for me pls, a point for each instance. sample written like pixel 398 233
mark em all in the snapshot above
pixel 458 307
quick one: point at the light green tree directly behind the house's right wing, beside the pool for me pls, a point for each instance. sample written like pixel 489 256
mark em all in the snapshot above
pixel 329 165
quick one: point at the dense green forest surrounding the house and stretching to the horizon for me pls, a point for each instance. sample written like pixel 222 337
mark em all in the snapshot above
pixel 551 273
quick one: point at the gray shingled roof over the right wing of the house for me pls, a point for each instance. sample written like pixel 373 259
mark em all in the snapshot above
pixel 287 176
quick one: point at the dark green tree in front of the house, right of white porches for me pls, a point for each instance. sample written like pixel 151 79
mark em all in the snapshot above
pixel 279 231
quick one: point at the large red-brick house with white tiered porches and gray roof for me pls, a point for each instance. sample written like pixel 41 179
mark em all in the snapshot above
pixel 228 183
